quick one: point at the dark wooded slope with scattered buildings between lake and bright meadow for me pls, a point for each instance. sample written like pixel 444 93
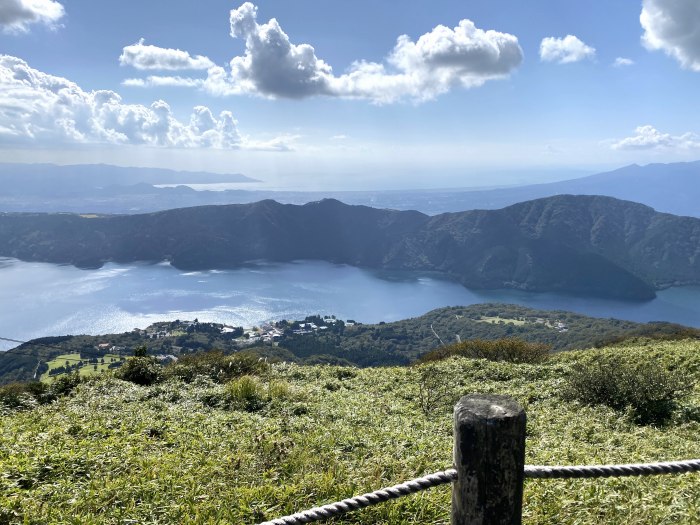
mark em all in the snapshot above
pixel 396 343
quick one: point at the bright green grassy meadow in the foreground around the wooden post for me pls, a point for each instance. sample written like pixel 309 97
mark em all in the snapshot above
pixel 299 436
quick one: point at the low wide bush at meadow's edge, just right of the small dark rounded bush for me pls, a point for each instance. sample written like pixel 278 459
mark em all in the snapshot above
pixel 216 365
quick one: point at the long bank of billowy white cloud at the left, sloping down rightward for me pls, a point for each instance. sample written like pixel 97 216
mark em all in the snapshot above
pixel 41 108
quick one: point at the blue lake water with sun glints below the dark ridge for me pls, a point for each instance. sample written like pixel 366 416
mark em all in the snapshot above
pixel 38 299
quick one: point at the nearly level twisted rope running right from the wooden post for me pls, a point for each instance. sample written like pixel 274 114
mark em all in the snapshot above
pixel 605 471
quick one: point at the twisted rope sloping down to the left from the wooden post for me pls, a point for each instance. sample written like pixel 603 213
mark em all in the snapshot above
pixel 366 500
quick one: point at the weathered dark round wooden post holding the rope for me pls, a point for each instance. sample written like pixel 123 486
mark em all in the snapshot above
pixel 489 455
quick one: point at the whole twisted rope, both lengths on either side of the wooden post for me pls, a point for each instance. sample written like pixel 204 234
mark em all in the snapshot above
pixel 450 475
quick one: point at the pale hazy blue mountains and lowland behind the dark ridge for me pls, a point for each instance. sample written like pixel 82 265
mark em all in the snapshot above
pixel 670 188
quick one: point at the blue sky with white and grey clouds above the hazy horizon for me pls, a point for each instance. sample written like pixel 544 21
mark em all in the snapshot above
pixel 354 95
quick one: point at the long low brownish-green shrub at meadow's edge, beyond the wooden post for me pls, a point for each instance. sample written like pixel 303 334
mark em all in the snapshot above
pixel 511 350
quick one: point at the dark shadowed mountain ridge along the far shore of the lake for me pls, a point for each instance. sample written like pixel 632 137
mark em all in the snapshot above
pixel 585 245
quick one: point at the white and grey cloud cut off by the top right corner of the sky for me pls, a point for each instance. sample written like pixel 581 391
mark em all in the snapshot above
pixel 674 27
